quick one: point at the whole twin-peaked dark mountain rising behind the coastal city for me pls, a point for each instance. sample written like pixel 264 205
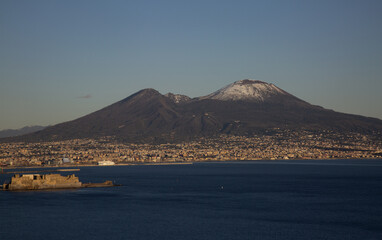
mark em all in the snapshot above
pixel 242 108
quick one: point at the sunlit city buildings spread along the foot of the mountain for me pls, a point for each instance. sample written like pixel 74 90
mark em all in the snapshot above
pixel 278 144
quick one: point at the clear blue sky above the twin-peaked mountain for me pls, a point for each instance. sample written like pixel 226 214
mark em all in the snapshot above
pixel 60 60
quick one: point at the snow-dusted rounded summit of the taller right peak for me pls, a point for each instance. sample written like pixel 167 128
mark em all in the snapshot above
pixel 250 90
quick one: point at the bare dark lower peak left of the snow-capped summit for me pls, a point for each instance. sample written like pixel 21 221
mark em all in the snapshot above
pixel 144 113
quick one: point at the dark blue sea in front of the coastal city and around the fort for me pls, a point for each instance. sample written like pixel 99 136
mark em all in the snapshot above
pixel 256 200
